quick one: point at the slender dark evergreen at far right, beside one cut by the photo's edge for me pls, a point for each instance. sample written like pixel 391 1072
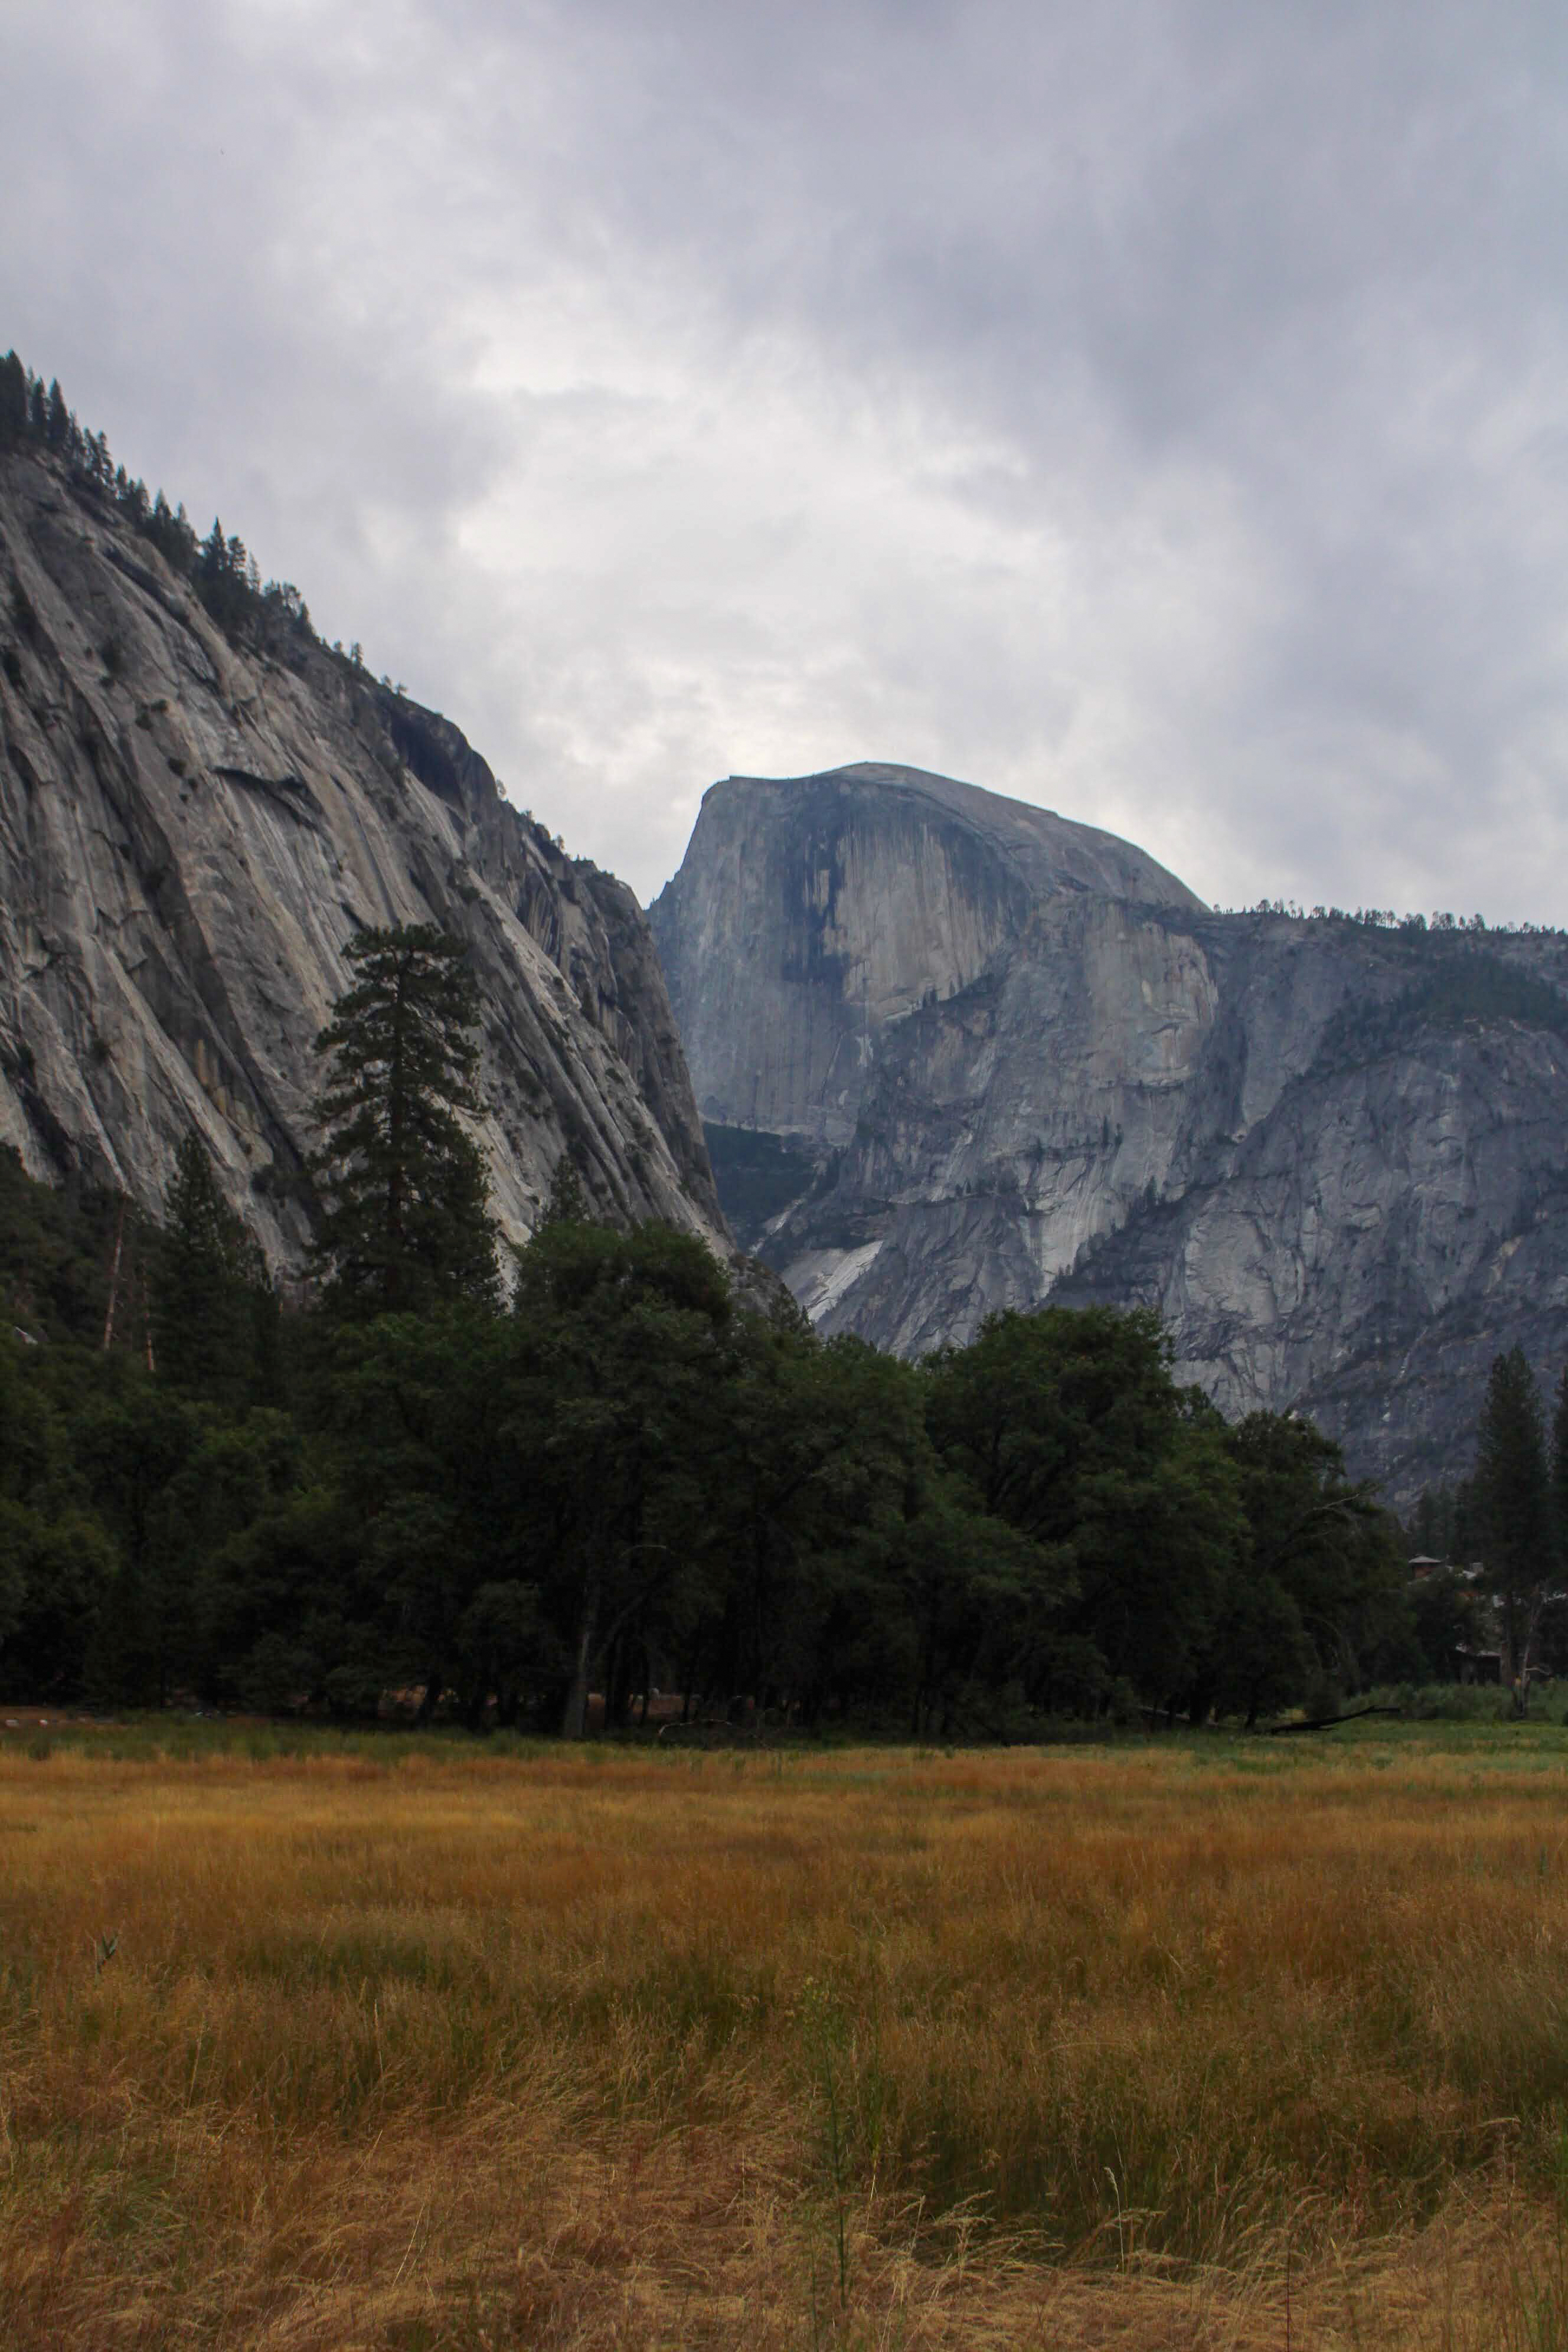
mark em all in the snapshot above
pixel 1513 1502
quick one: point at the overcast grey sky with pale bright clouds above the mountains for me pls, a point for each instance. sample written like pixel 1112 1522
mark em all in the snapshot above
pixel 1155 410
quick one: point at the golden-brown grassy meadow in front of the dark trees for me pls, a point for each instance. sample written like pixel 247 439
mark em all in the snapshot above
pixel 429 2045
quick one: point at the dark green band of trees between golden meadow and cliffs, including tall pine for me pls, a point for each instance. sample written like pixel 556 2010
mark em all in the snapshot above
pixel 619 1471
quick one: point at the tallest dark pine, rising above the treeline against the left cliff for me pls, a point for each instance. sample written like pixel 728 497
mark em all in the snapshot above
pixel 403 1184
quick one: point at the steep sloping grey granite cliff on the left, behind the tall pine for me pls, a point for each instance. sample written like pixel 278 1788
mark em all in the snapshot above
pixel 189 838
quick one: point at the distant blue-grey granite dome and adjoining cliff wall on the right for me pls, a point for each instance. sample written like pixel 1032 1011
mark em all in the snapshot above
pixel 1329 1154
